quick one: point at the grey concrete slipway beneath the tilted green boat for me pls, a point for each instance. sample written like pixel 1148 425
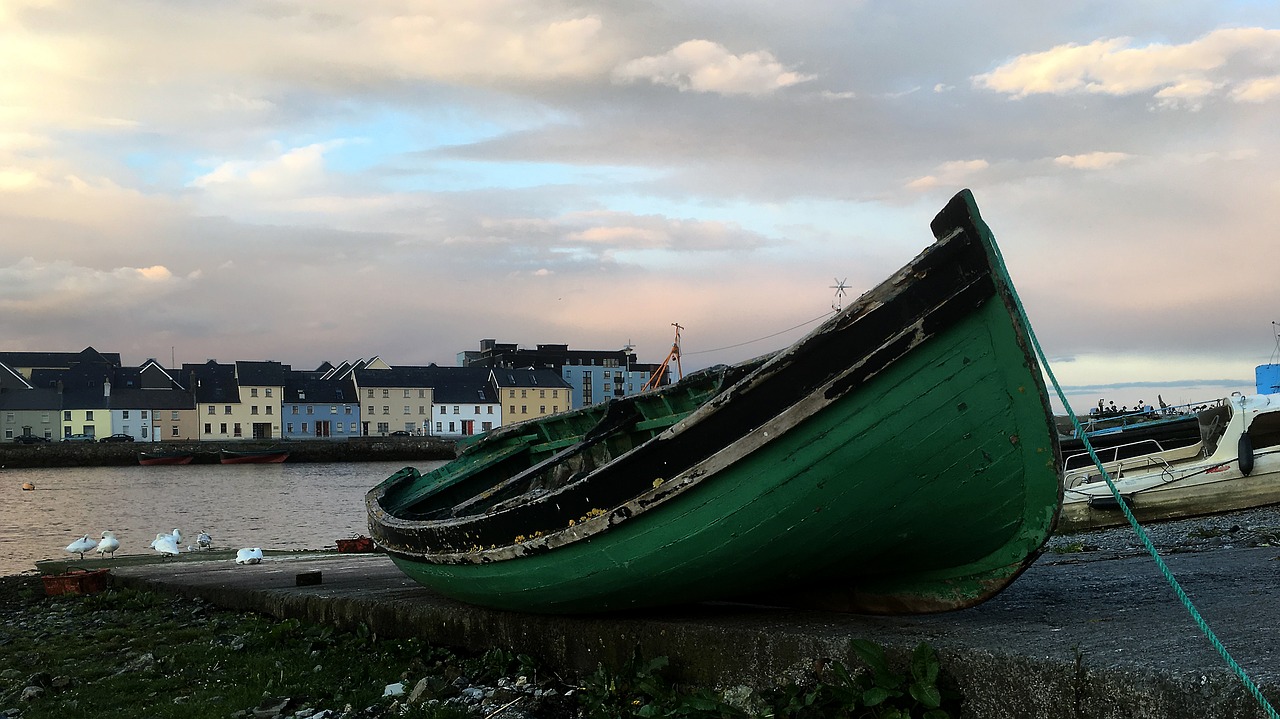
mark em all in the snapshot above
pixel 1077 636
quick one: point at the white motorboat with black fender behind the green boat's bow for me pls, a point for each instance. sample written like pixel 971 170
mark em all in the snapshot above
pixel 1236 465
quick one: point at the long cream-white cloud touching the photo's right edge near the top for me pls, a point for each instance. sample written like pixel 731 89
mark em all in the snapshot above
pixel 1238 62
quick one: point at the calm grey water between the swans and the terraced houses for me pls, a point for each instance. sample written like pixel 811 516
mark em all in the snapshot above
pixel 269 506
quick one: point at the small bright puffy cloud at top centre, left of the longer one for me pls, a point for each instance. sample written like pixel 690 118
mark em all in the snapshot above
pixel 702 66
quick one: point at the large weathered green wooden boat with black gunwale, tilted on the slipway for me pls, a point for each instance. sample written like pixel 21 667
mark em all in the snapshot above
pixel 900 459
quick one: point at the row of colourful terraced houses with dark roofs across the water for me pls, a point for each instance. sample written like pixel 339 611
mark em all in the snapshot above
pixel 60 395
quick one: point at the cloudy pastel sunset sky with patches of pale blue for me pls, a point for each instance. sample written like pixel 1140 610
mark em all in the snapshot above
pixel 310 181
